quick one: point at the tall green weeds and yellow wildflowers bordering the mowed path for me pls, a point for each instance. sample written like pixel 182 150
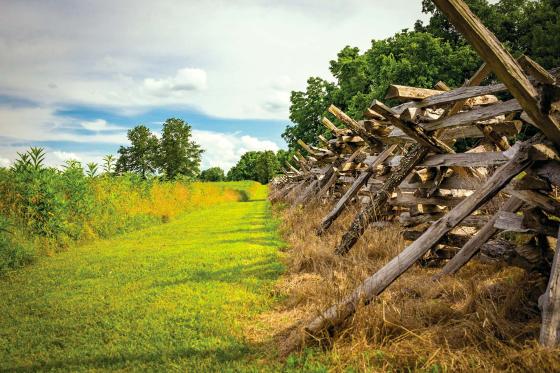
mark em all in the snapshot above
pixel 44 210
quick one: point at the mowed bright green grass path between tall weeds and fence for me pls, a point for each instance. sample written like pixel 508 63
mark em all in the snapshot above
pixel 172 297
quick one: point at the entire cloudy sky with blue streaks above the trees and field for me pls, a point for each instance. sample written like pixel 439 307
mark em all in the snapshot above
pixel 75 75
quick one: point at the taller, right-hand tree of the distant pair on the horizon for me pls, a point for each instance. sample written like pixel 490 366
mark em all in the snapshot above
pixel 178 154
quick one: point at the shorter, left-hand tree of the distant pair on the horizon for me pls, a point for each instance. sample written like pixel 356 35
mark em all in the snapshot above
pixel 140 156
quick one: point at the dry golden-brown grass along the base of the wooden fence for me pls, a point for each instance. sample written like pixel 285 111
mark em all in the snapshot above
pixel 484 318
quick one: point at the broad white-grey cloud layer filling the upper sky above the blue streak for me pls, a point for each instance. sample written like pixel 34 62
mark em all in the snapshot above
pixel 149 54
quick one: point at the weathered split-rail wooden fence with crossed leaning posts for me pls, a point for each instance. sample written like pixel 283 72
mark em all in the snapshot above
pixel 400 164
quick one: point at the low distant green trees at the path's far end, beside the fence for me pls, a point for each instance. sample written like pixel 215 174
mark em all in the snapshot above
pixel 259 166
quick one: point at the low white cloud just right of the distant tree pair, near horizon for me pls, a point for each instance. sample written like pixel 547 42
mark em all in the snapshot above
pixel 224 150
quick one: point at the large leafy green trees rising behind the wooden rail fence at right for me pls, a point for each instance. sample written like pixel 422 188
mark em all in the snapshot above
pixel 420 57
